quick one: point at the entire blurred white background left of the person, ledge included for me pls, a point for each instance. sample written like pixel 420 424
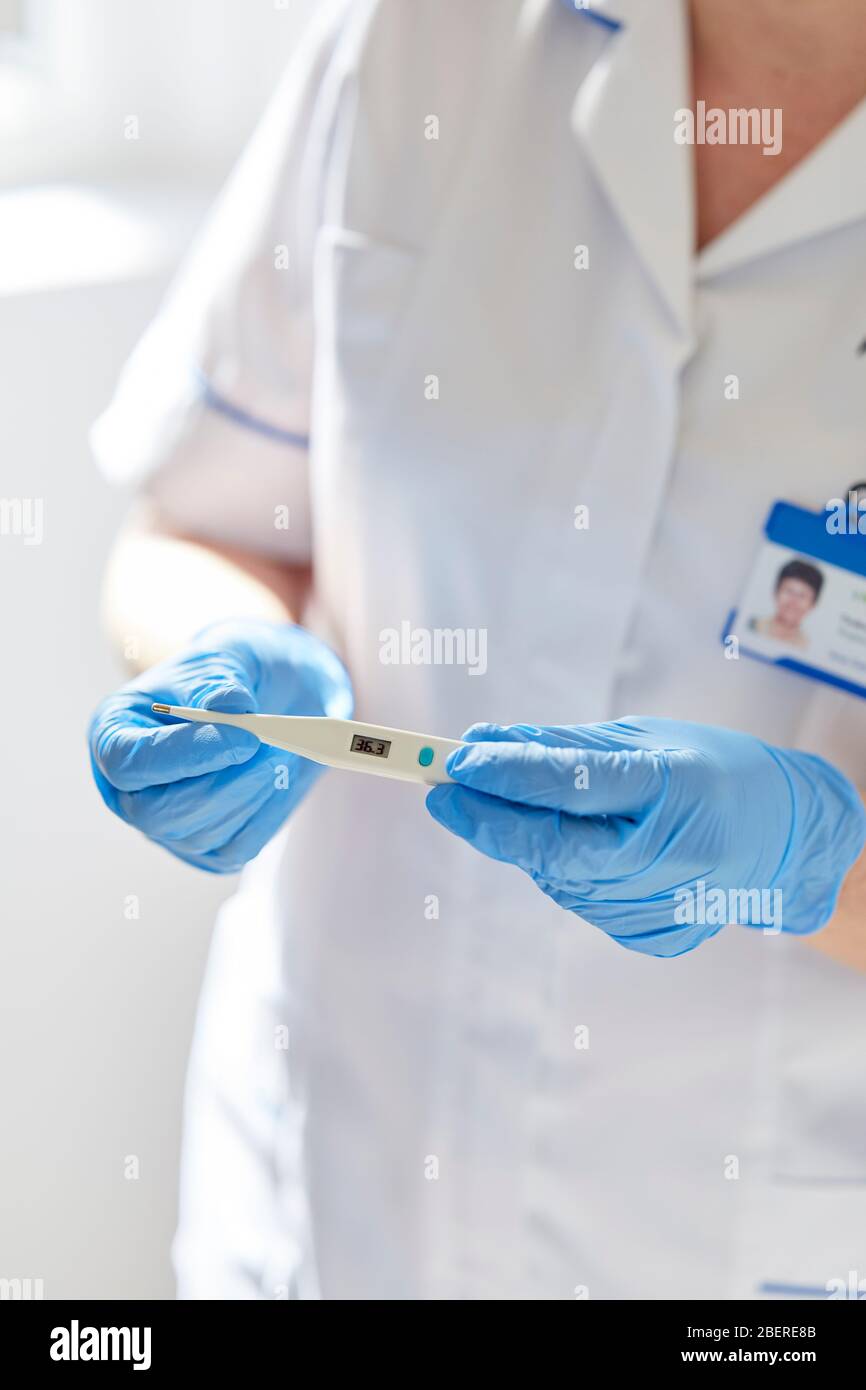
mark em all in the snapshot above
pixel 97 1008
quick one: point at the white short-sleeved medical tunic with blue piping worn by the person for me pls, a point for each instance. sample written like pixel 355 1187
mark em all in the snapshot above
pixel 433 387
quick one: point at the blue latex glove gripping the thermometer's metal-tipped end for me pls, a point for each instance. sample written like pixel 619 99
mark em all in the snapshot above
pixel 211 794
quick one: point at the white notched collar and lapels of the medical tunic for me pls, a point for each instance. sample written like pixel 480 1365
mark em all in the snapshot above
pixel 623 117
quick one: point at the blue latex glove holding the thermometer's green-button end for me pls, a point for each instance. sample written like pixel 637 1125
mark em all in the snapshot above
pixel 647 826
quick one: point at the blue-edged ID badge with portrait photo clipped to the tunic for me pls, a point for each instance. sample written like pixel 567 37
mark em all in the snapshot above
pixel 804 607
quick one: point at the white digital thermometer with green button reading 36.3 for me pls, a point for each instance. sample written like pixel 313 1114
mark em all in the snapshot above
pixel 338 743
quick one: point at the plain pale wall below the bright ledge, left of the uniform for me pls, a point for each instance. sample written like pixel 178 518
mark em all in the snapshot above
pixel 95 1010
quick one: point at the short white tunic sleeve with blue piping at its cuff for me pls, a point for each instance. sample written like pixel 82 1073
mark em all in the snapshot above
pixel 212 414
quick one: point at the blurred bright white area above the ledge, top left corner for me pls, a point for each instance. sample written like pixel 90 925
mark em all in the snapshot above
pixel 193 73
